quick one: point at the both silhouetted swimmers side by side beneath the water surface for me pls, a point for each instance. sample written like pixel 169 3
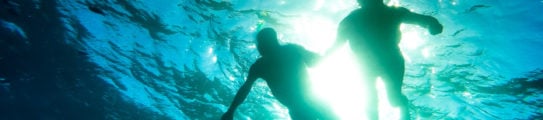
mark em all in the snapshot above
pixel 373 33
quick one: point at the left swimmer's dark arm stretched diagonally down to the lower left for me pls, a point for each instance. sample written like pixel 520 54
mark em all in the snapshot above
pixel 242 94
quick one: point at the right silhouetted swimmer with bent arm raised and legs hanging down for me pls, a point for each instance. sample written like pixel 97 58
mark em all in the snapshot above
pixel 373 33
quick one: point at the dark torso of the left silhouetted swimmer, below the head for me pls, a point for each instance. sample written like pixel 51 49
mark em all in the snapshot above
pixel 285 73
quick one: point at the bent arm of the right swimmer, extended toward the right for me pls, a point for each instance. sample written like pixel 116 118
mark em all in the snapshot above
pixel 429 22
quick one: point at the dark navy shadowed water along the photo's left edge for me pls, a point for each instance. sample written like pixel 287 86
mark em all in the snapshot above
pixel 49 79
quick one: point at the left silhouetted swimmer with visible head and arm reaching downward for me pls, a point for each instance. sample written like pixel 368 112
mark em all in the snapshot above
pixel 283 67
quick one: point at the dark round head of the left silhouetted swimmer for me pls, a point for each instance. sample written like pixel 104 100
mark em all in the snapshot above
pixel 267 41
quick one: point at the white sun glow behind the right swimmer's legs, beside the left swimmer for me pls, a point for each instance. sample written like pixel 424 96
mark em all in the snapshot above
pixel 337 80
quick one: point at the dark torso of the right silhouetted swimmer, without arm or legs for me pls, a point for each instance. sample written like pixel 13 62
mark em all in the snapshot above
pixel 374 35
